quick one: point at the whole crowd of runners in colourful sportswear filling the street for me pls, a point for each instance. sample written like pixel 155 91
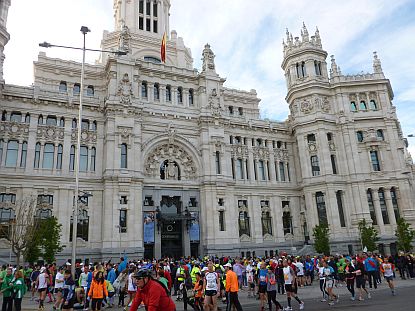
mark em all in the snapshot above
pixel 208 283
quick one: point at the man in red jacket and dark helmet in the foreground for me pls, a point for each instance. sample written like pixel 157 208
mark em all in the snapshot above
pixel 152 293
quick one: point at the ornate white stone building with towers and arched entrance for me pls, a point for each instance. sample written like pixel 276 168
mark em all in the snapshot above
pixel 179 164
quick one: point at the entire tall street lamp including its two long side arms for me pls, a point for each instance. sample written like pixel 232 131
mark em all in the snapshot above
pixel 45 44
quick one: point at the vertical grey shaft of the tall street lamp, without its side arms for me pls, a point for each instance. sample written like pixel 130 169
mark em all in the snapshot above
pixel 84 31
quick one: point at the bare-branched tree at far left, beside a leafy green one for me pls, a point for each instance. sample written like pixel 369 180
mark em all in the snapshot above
pixel 23 227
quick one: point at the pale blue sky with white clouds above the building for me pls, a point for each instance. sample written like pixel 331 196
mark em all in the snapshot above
pixel 246 37
